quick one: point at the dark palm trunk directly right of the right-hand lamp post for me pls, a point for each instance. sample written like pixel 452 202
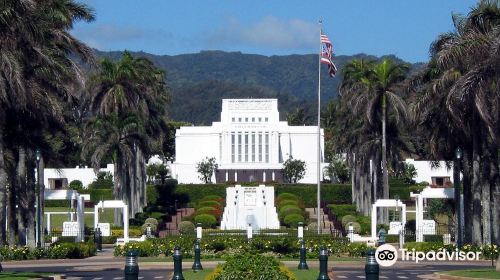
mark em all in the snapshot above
pixel 466 182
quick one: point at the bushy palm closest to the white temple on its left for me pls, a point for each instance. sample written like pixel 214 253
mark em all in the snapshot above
pixel 131 86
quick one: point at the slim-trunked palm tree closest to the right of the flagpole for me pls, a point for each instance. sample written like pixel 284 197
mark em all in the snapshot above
pixel 369 87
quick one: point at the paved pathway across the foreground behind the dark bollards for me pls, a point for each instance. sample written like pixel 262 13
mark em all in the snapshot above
pixel 106 267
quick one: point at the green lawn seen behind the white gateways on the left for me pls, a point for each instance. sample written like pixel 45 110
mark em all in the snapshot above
pixel 56 221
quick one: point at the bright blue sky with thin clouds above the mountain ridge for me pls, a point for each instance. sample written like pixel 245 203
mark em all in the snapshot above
pixel 169 27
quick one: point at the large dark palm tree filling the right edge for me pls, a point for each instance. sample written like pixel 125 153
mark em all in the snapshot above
pixel 464 81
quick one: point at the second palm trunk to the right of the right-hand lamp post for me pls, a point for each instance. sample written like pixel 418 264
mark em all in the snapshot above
pixel 476 189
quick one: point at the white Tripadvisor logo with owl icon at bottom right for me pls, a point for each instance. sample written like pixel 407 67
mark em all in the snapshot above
pixel 386 255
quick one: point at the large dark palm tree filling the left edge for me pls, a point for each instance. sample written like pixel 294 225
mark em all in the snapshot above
pixel 37 74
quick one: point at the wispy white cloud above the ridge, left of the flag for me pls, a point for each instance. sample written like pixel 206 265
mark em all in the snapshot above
pixel 268 32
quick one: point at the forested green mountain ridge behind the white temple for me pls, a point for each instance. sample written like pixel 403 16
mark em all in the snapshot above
pixel 199 81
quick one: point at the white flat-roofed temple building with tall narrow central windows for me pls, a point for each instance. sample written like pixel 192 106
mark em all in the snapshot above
pixel 249 144
